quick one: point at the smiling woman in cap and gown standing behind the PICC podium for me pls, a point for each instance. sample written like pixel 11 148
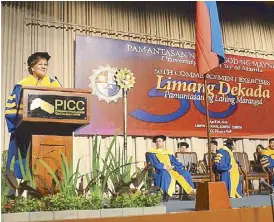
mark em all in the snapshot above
pixel 37 67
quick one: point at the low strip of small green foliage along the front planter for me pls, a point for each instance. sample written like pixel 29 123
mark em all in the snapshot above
pixel 67 200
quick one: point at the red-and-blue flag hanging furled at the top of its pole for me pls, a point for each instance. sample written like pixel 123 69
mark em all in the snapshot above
pixel 209 44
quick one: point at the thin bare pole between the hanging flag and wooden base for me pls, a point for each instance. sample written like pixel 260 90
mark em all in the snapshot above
pixel 208 130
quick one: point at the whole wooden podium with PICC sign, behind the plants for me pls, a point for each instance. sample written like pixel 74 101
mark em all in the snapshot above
pixel 49 117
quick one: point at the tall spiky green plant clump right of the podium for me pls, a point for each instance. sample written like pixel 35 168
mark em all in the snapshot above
pixel 115 175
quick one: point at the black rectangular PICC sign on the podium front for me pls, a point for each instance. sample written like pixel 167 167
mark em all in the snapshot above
pixel 57 107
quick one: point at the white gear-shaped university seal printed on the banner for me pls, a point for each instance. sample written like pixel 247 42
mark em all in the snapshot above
pixel 103 84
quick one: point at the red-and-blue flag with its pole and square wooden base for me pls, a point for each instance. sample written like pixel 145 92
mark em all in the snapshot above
pixel 209 55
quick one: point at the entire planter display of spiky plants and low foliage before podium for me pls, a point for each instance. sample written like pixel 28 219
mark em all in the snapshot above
pixel 113 177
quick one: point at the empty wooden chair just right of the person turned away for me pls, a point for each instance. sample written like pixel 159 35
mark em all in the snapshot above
pixel 248 173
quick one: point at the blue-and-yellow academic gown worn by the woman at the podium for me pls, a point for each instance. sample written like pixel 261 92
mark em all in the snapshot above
pixel 11 117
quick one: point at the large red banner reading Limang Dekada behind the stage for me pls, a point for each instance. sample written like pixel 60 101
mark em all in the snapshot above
pixel 168 96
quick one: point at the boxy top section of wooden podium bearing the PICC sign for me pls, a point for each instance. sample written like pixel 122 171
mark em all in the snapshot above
pixel 53 110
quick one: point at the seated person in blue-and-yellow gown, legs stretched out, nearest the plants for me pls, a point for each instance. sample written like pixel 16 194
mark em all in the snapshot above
pixel 168 170
